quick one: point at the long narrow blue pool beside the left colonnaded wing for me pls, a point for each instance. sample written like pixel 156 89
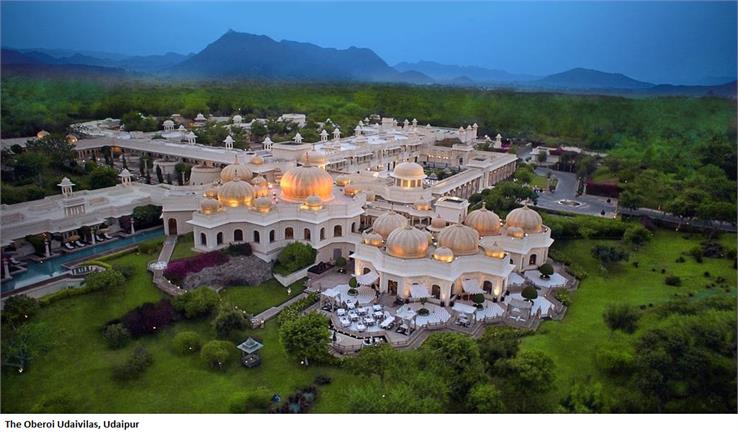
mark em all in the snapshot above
pixel 40 271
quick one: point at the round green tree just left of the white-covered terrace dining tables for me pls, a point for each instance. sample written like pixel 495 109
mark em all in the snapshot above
pixel 306 337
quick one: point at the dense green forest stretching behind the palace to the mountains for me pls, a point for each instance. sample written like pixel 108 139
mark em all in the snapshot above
pixel 671 153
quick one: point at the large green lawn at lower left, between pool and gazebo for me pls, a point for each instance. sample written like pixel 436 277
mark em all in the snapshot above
pixel 75 363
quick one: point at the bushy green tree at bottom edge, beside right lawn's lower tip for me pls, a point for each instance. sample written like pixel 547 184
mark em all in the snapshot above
pixel 527 377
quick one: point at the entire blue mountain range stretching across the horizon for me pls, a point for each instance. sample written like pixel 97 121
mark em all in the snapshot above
pixel 237 56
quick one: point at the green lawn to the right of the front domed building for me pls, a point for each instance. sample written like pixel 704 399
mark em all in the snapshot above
pixel 572 342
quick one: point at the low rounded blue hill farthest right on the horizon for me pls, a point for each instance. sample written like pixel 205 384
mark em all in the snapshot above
pixel 581 78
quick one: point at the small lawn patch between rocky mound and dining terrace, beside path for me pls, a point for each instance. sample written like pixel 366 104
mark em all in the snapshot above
pixel 256 299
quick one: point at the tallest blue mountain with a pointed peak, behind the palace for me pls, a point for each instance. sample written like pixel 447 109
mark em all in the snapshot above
pixel 244 55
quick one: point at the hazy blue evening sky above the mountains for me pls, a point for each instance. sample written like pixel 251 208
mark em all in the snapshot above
pixel 659 41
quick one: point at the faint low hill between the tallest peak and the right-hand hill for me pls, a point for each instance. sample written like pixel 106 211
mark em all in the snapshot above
pixel 450 73
